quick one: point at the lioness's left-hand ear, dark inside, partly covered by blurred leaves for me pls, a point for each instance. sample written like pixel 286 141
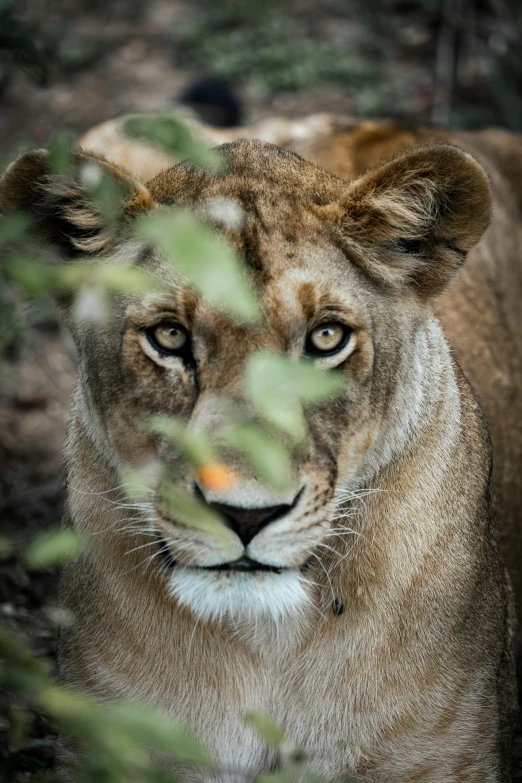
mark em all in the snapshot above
pixel 62 206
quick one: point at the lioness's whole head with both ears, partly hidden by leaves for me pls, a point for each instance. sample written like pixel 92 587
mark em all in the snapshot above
pixel 345 275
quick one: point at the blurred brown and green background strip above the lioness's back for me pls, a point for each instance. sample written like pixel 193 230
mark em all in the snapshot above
pixel 73 63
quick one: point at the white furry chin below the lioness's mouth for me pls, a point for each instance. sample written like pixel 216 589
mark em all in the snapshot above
pixel 235 596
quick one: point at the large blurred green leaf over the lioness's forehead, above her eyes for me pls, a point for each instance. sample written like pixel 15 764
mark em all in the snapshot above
pixel 204 259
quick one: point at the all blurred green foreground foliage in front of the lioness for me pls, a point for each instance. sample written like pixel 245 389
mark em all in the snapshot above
pixel 122 742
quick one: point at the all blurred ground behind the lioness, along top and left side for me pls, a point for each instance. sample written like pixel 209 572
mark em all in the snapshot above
pixel 66 65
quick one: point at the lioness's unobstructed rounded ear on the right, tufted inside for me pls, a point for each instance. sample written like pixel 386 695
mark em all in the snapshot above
pixel 412 221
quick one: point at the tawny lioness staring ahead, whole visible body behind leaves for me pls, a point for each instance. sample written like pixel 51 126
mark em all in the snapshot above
pixel 366 609
